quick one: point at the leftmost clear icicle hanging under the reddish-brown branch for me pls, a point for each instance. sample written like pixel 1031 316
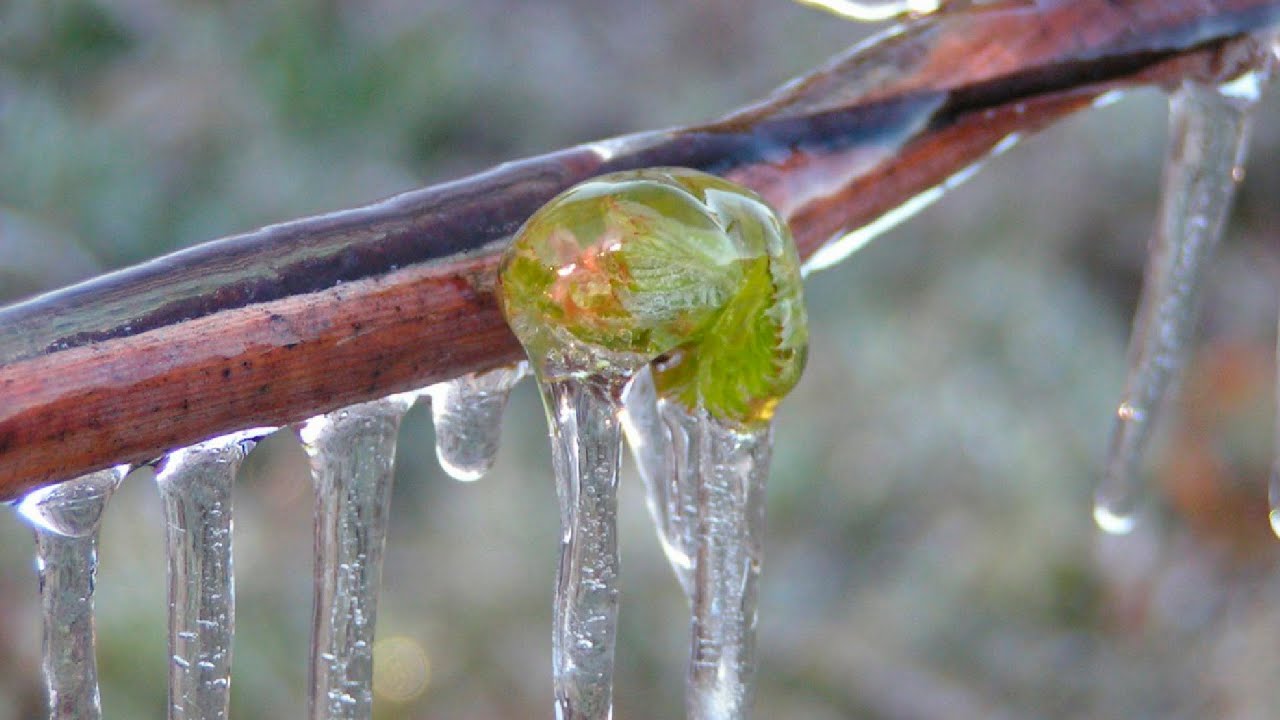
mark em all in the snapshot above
pixel 66 518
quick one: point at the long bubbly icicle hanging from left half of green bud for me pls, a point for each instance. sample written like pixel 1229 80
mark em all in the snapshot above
pixel 587 448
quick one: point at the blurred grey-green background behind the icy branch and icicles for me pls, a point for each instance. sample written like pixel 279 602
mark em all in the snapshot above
pixel 931 552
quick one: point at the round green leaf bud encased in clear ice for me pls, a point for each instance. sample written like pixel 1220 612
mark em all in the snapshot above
pixel 666 266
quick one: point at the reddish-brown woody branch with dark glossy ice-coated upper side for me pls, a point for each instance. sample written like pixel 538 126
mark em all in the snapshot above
pixel 295 320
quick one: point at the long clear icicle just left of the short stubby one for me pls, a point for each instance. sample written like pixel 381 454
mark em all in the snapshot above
pixel 353 453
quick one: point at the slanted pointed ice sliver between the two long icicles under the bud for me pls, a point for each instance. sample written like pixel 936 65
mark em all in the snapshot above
pixel 661 444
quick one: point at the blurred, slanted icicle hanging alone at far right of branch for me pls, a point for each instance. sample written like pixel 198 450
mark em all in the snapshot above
pixel 1209 126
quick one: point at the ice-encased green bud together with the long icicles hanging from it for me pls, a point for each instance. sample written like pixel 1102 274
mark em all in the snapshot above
pixel 688 289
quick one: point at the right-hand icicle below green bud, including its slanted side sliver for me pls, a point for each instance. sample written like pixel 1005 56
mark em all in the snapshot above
pixel 706 489
